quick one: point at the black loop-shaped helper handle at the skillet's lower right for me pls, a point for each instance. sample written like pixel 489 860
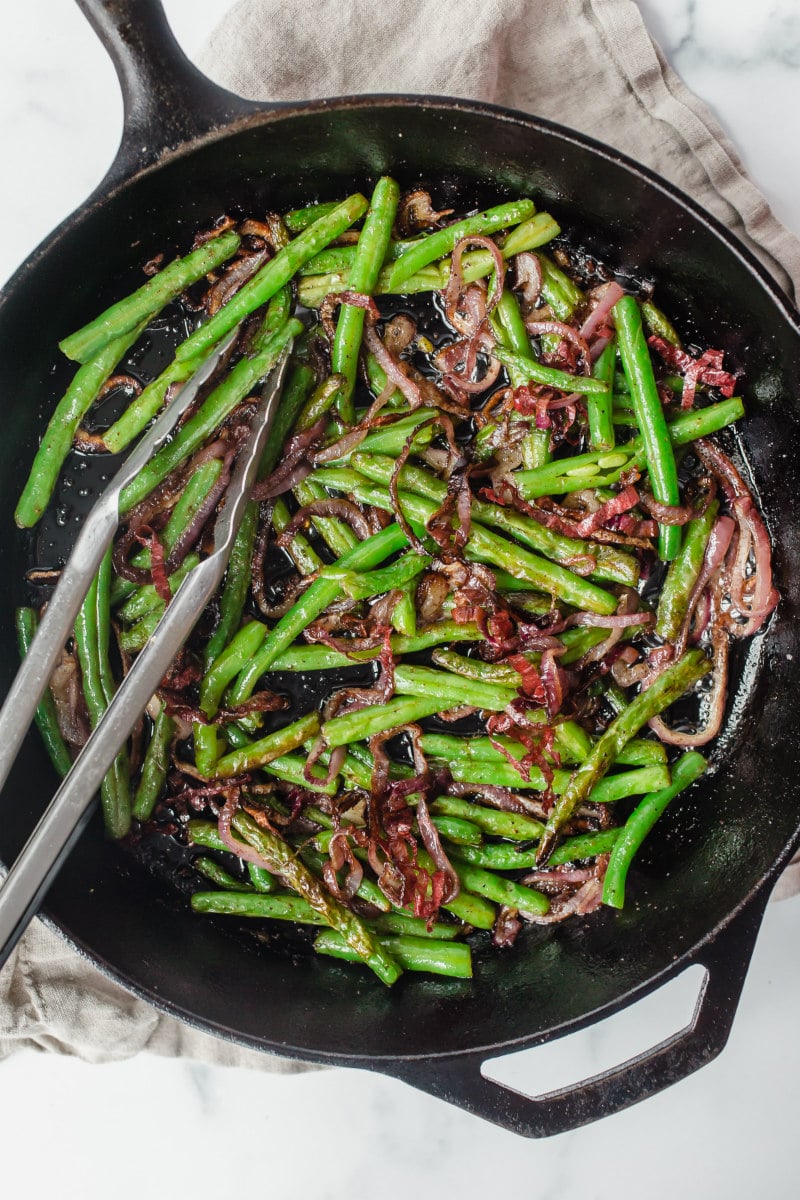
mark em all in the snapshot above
pixel 460 1082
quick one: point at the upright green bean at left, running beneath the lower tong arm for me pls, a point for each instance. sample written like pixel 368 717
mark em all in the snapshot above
pixel 92 644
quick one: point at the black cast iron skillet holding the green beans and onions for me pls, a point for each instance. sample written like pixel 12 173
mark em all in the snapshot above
pixel 190 151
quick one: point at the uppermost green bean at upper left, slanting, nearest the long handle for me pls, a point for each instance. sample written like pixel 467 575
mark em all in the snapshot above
pixel 148 301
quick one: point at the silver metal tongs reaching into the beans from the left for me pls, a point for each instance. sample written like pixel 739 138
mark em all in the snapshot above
pixel 70 809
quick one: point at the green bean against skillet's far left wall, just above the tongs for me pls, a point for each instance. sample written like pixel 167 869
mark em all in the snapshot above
pixel 62 429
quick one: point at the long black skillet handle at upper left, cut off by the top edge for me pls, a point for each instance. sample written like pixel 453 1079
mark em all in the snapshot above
pixel 167 100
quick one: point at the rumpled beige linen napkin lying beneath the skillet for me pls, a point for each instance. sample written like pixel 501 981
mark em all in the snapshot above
pixel 519 53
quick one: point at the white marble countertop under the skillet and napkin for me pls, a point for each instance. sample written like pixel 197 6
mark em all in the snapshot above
pixel 173 1127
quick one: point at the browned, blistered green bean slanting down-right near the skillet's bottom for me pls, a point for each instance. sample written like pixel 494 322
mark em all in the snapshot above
pixel 282 860
